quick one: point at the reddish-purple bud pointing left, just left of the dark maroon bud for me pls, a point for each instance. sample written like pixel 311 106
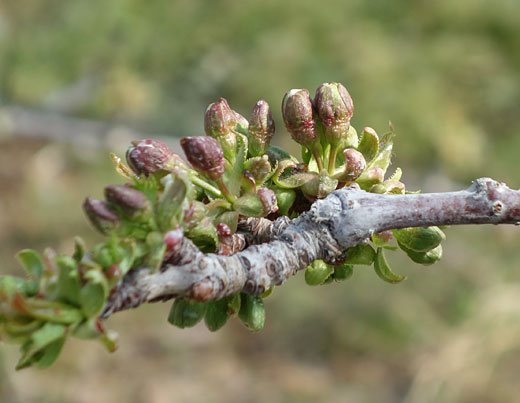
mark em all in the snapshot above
pixel 150 156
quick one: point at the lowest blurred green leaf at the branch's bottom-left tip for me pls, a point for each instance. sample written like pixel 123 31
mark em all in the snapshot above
pixel 44 346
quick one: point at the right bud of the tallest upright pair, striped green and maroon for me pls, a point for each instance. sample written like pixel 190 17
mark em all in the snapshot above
pixel 335 108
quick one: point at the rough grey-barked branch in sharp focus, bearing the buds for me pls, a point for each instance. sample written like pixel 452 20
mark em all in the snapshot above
pixel 278 250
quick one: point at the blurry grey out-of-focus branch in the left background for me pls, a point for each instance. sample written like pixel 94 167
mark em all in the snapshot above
pixel 21 122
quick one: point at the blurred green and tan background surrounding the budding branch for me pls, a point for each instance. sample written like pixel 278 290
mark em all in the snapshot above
pixel 446 73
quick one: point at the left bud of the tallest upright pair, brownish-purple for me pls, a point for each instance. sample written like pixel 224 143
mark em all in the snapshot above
pixel 298 117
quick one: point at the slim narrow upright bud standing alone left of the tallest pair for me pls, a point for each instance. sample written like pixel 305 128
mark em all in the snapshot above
pixel 261 128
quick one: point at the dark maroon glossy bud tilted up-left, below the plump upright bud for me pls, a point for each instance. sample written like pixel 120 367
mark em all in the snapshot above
pixel 205 155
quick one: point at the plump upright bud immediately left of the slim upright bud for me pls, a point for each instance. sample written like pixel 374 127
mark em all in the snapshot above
pixel 220 122
